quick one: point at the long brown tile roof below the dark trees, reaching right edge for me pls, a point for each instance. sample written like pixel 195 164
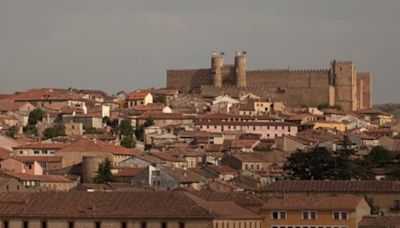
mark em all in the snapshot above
pixel 333 186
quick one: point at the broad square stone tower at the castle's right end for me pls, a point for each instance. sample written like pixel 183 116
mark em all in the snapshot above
pixel 344 75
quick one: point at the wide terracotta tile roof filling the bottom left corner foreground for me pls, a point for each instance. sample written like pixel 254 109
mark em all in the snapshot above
pixel 138 205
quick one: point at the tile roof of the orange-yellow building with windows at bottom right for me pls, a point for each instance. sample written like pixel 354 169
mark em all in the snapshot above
pixel 348 203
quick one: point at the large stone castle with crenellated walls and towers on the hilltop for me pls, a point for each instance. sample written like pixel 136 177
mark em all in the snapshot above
pixel 339 85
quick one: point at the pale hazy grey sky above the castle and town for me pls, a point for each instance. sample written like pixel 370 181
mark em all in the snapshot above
pixel 118 45
